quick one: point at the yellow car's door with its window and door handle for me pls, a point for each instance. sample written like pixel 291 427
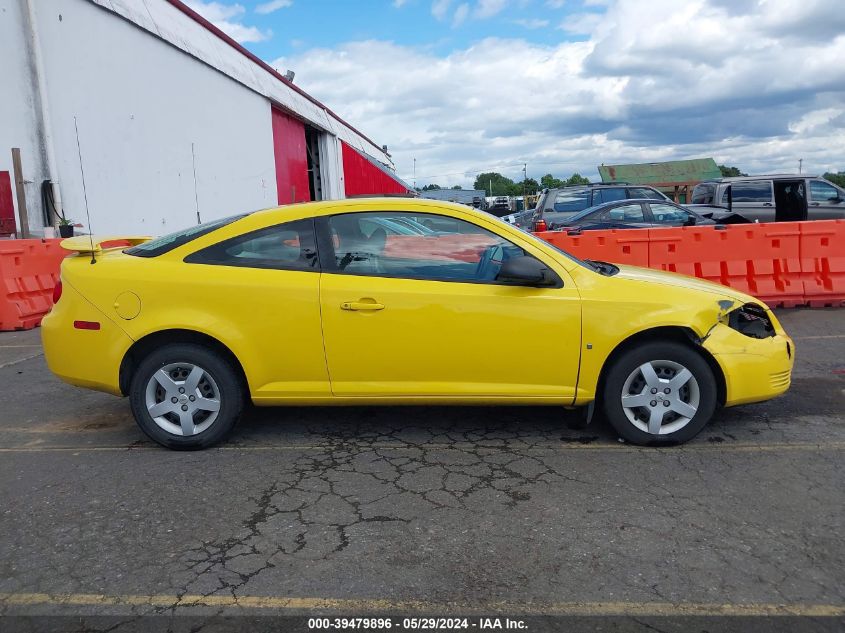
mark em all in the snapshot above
pixel 423 316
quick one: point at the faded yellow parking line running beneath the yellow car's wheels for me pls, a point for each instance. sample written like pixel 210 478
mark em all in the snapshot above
pixel 669 450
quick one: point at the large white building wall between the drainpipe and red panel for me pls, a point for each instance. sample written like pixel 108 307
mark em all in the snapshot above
pixel 140 105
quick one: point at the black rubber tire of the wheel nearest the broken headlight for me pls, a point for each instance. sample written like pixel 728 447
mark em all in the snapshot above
pixel 660 354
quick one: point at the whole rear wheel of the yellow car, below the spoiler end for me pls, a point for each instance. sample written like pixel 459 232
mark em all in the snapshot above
pixel 186 397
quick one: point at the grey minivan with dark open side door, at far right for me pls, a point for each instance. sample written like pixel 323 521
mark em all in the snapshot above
pixel 774 198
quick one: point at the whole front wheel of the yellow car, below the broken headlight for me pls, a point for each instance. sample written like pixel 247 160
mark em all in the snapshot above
pixel 659 393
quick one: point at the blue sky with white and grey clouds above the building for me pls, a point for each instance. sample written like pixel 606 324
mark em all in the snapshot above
pixel 565 85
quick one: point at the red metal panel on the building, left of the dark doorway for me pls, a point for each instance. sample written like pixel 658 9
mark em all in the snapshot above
pixel 291 158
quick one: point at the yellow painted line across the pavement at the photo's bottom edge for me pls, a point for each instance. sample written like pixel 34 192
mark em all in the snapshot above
pixel 386 605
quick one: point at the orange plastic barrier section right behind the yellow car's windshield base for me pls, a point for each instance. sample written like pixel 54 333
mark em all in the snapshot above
pixel 617 246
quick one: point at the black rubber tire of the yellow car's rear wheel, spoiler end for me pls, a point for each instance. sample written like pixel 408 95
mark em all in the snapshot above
pixel 227 386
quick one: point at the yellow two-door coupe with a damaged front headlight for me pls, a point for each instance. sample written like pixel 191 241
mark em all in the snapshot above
pixel 398 301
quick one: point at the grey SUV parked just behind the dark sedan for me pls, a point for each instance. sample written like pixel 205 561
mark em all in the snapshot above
pixel 556 206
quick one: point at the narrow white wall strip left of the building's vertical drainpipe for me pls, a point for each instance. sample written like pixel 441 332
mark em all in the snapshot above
pixel 19 122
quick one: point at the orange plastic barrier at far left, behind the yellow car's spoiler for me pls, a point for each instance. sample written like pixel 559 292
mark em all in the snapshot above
pixel 29 270
